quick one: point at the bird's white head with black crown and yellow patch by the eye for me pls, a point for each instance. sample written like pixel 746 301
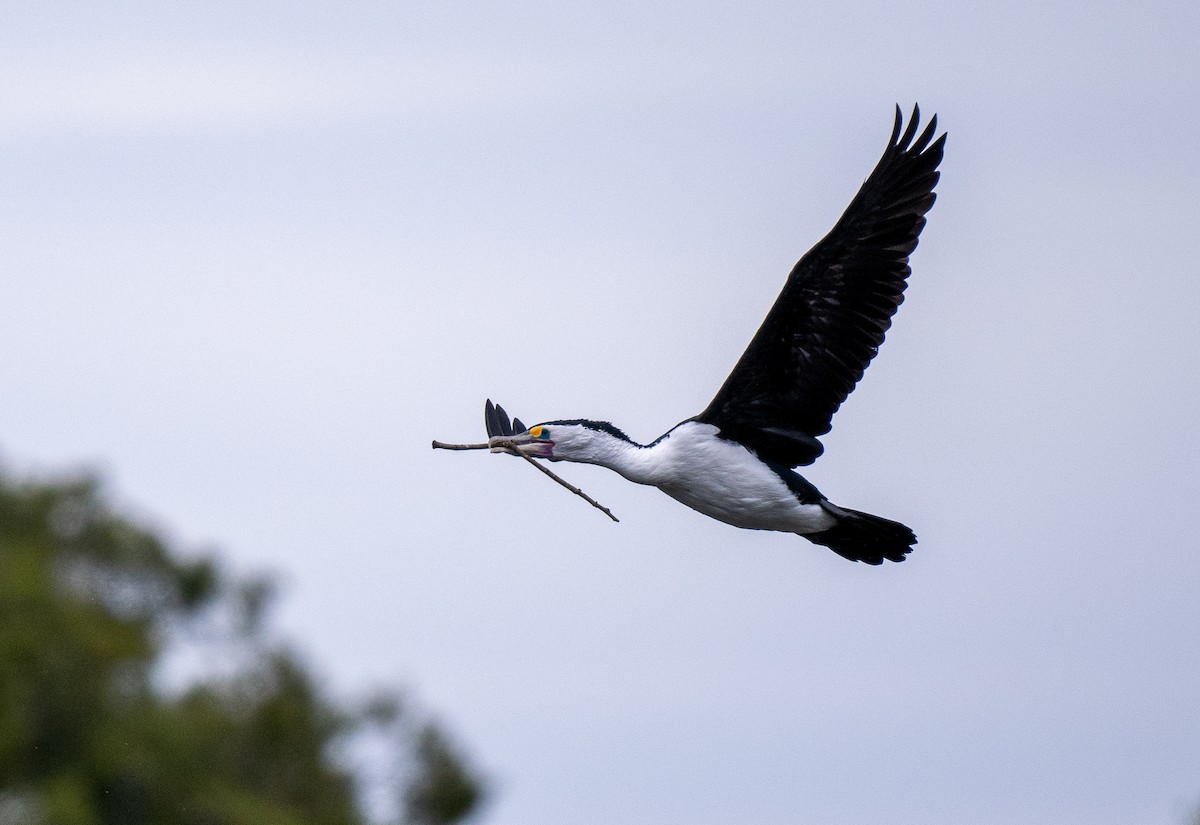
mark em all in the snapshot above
pixel 575 441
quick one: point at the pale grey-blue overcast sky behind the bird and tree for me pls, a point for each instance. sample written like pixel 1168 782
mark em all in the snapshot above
pixel 259 255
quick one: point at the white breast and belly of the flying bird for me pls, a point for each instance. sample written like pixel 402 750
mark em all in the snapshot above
pixel 725 481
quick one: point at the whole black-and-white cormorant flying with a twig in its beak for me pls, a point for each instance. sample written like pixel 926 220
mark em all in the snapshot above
pixel 736 461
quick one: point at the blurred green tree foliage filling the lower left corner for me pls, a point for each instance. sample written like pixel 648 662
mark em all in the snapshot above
pixel 92 605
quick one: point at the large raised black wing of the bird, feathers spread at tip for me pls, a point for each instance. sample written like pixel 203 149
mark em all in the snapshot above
pixel 830 320
